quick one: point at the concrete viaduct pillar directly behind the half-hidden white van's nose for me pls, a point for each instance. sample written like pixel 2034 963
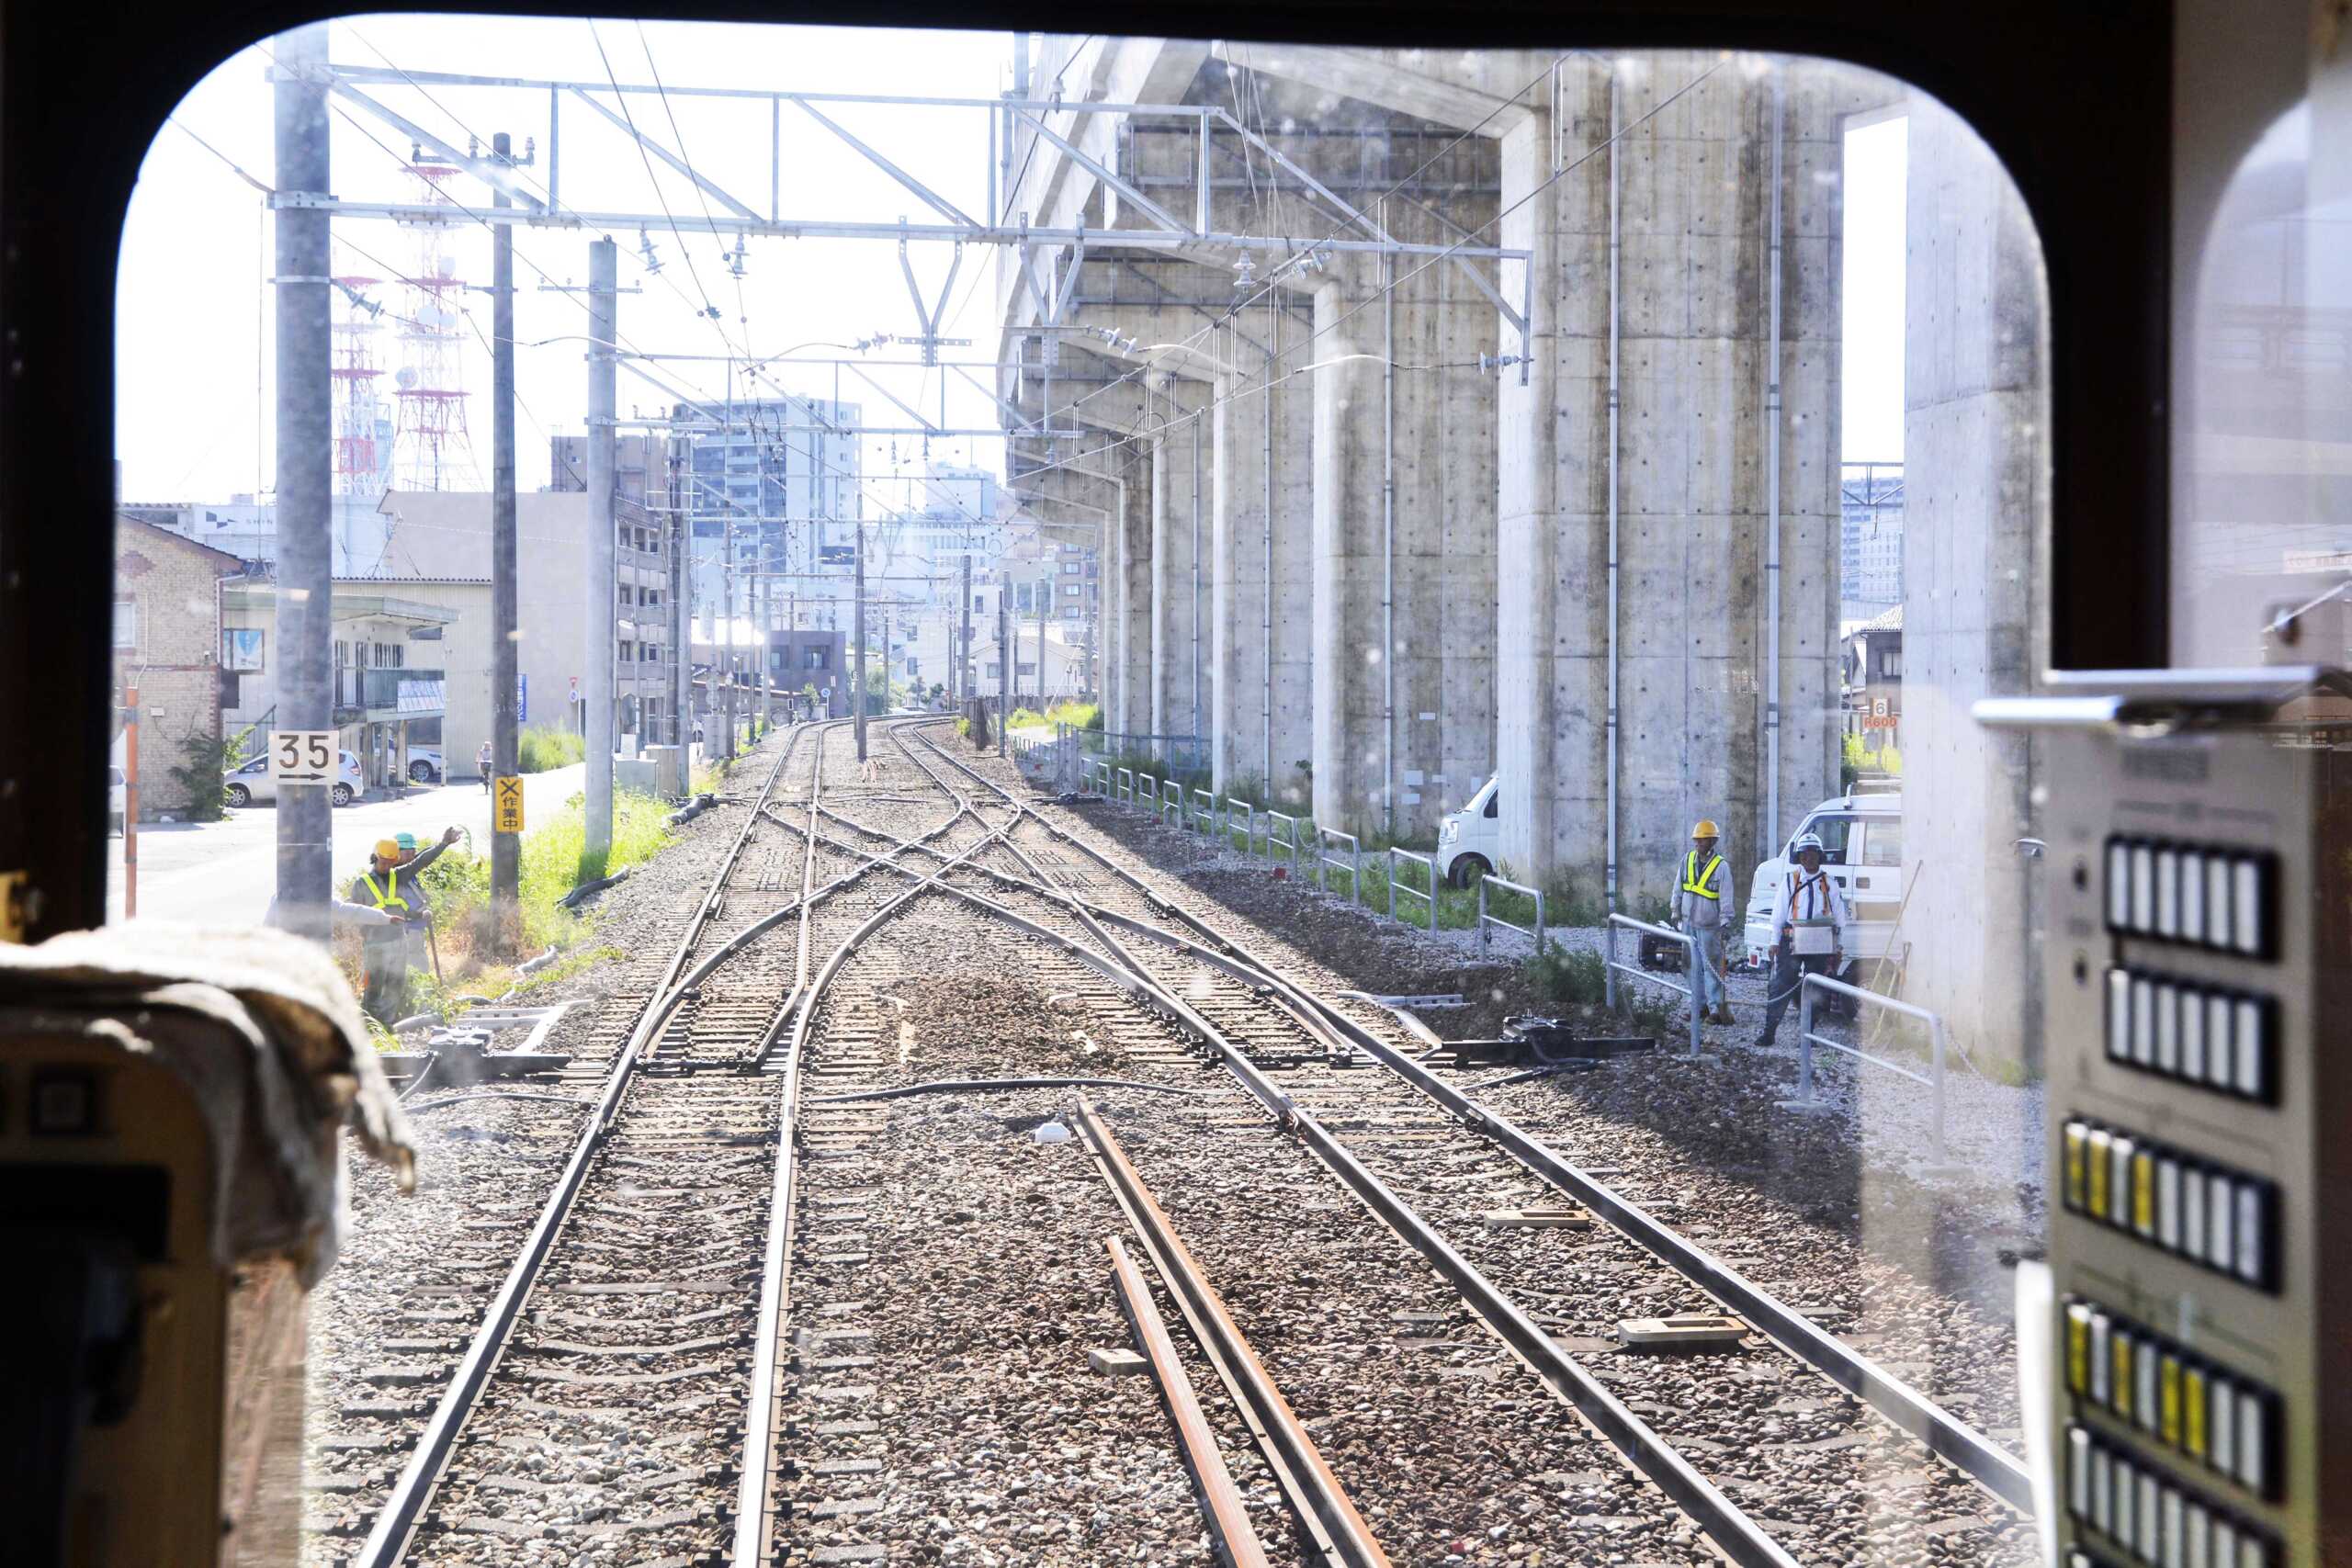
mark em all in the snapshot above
pixel 1405 547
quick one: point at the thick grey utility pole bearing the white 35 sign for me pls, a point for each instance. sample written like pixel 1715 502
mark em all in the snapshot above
pixel 305 612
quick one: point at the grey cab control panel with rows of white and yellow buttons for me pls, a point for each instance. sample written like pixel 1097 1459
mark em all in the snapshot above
pixel 2200 1113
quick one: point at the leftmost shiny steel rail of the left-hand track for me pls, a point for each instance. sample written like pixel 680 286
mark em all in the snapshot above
pixel 396 1522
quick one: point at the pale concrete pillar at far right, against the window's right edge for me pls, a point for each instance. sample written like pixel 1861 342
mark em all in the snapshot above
pixel 1975 596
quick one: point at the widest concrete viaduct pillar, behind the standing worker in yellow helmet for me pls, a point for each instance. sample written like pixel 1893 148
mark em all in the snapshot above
pixel 1695 594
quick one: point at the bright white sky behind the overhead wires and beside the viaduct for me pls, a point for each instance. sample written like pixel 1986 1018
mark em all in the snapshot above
pixel 194 349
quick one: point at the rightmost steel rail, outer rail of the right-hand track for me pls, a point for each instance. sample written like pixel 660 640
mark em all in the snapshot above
pixel 1852 1372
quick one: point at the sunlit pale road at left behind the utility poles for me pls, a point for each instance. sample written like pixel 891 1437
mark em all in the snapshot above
pixel 229 871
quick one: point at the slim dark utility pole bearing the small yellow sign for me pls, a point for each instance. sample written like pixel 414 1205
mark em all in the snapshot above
pixel 505 657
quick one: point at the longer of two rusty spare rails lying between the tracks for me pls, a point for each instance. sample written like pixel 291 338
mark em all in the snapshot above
pixel 1299 1461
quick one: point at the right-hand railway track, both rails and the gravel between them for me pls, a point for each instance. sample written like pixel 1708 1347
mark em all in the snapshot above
pixel 1742 1426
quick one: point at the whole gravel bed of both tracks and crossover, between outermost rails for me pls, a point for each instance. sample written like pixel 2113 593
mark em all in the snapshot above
pixel 824 1280
